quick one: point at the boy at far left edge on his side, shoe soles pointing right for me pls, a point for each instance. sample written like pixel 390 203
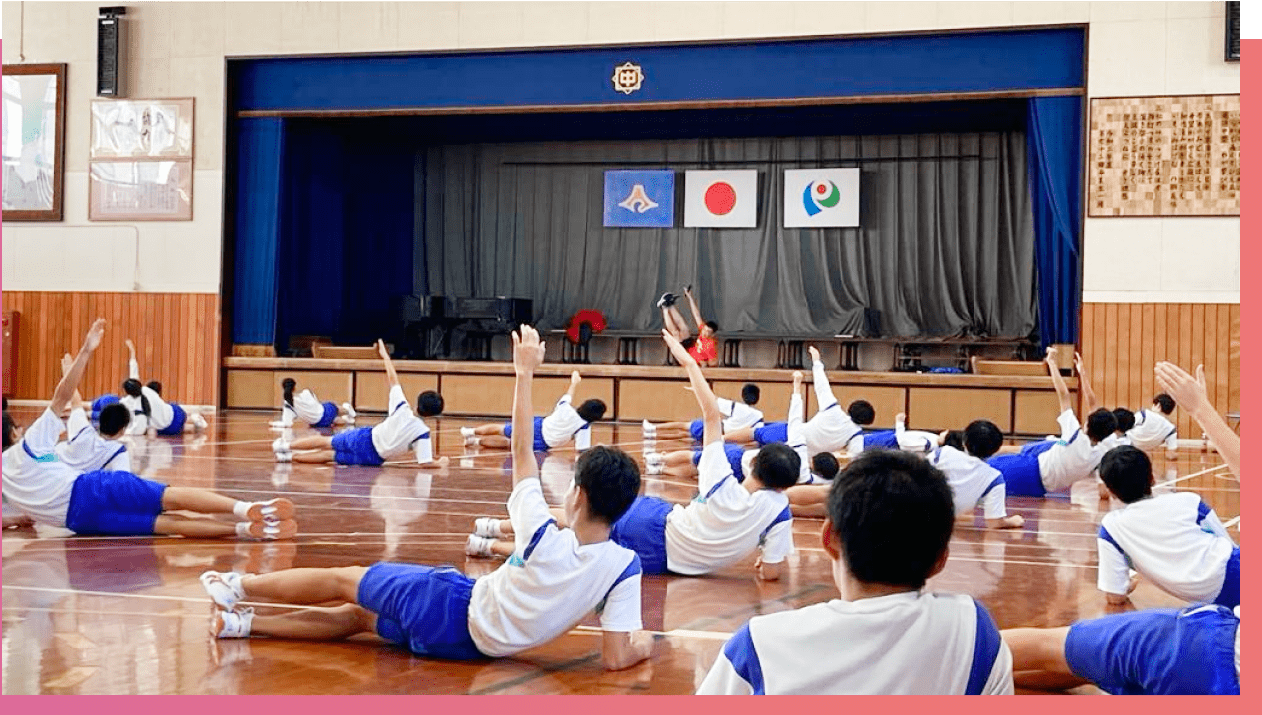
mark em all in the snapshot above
pixel 117 504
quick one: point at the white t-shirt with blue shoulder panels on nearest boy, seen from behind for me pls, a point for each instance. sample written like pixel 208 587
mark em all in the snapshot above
pixel 913 644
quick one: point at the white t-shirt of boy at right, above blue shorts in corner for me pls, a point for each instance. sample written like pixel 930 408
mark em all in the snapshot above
pixel 1173 540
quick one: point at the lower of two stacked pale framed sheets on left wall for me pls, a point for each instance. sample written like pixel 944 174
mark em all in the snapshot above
pixel 141 191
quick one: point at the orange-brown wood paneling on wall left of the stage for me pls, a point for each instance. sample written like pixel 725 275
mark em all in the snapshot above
pixel 177 339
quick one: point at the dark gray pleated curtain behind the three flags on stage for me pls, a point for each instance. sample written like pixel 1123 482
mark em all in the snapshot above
pixel 946 245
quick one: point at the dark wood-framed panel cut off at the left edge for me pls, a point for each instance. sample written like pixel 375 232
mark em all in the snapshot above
pixel 35 129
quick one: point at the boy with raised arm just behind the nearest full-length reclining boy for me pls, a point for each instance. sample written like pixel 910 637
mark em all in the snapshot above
pixel 728 523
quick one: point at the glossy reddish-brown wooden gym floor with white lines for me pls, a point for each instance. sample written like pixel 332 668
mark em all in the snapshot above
pixel 128 616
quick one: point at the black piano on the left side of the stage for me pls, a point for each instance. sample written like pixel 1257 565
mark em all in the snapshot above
pixel 427 323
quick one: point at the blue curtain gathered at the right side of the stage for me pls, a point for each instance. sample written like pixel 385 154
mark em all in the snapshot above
pixel 1054 154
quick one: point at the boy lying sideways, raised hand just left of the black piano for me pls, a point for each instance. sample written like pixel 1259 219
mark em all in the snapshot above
pixel 401 433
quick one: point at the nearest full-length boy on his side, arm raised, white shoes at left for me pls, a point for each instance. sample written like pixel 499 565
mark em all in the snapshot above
pixel 555 579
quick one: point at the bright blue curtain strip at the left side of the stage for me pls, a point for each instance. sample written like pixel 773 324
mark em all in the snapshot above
pixel 261 154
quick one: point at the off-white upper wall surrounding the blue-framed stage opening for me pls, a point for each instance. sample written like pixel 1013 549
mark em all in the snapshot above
pixel 179 50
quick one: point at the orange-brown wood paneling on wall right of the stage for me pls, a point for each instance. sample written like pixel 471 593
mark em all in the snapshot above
pixel 1123 342
